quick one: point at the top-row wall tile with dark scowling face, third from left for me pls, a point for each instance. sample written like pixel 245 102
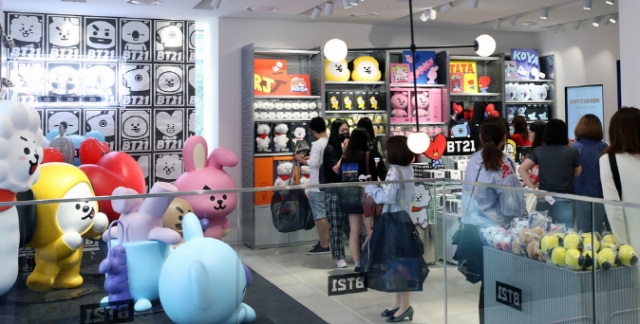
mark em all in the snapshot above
pixel 101 37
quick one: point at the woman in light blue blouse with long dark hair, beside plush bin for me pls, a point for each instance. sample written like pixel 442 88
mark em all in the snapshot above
pixel 485 206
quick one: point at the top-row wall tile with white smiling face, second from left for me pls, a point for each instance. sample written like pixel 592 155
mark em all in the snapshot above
pixel 64 36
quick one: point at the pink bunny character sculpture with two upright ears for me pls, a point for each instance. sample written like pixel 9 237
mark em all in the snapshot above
pixel 202 173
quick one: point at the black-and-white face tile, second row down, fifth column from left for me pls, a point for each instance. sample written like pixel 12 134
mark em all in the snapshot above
pixel 169 85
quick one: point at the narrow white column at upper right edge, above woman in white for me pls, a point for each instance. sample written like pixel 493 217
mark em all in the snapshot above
pixel 629 49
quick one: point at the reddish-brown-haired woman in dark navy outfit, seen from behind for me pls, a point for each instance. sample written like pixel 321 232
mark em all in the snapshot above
pixel 588 134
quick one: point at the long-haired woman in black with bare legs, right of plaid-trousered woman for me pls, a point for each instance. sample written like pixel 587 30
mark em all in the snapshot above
pixel 355 158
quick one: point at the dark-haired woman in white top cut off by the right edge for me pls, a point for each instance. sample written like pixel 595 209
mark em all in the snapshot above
pixel 624 137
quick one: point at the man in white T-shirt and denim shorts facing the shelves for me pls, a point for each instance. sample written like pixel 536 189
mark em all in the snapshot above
pixel 317 197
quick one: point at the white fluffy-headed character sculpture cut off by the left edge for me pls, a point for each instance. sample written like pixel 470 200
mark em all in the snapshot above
pixel 20 144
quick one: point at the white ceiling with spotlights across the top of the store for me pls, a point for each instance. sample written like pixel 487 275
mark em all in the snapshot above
pixel 388 11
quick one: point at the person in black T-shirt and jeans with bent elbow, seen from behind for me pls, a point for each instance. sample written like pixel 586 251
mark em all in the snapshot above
pixel 559 165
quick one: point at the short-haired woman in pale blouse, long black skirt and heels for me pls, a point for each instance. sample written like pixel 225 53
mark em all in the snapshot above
pixel 400 158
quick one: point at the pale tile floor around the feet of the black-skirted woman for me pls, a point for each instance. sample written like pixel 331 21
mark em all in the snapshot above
pixel 304 278
